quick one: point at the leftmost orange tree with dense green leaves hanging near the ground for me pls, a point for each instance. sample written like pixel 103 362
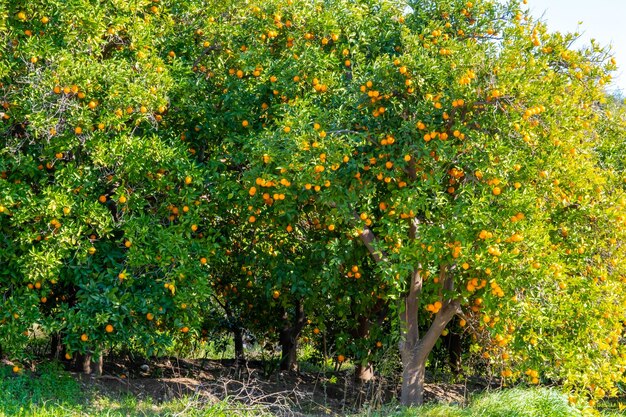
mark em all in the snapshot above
pixel 105 221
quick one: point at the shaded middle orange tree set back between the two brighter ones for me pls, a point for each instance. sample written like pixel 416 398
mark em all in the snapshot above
pixel 272 269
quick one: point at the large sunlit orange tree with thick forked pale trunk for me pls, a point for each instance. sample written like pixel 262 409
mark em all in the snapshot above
pixel 459 143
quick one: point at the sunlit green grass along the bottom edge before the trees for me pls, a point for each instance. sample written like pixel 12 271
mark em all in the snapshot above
pixel 52 392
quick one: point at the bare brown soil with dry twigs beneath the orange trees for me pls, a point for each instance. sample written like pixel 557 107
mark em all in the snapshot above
pixel 283 393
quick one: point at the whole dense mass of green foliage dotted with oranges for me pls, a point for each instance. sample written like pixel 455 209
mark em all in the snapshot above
pixel 349 173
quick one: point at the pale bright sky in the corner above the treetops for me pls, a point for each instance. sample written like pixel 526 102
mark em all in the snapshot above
pixel 602 20
